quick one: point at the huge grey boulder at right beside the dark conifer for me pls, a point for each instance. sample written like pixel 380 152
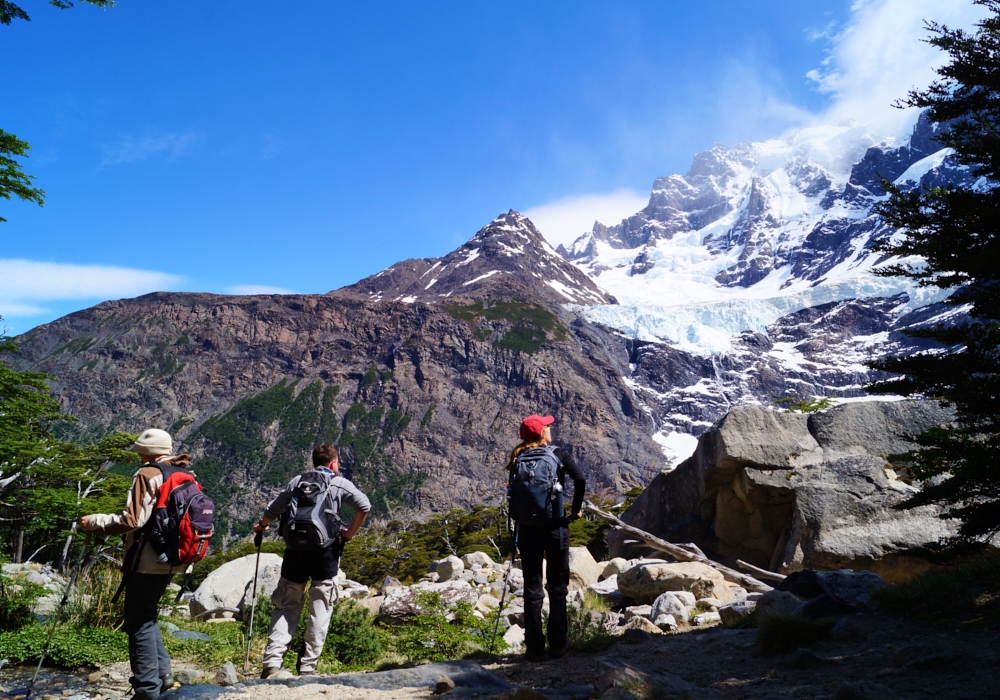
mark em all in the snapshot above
pixel 788 491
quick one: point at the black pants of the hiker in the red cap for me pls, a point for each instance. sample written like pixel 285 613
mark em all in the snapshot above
pixel 552 544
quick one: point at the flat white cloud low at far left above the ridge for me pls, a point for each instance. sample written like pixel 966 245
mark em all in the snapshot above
pixel 24 283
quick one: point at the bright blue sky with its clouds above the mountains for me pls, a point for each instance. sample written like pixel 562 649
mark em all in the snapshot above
pixel 227 146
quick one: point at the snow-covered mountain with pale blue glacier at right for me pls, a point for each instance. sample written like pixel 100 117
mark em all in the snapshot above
pixel 750 278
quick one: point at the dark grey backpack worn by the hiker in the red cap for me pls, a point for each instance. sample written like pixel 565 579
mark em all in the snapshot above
pixel 535 487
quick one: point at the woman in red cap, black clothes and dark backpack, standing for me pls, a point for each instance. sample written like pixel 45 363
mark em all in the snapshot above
pixel 536 473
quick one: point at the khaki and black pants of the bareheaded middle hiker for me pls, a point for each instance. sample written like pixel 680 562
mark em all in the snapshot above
pixel 287 599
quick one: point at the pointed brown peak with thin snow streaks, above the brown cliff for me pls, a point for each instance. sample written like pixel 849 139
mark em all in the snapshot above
pixel 507 257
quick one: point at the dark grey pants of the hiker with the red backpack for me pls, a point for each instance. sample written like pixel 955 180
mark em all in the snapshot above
pixel 146 653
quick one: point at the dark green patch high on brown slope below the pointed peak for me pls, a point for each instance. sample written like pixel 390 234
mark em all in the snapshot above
pixel 515 325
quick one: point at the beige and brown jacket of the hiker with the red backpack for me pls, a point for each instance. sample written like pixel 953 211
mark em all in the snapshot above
pixel 138 510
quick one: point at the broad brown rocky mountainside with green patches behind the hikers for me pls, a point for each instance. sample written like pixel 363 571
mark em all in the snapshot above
pixel 423 400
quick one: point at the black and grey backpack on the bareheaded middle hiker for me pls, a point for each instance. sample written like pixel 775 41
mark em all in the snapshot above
pixel 311 523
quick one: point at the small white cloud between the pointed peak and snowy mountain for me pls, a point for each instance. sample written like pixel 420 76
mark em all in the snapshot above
pixel 564 220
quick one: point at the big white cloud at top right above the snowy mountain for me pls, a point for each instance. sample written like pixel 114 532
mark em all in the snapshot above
pixel 880 55
